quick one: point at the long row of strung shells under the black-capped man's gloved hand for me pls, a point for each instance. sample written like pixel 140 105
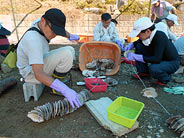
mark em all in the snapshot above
pixel 57 108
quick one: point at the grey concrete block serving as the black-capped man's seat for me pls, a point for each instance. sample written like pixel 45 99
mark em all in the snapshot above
pixel 34 90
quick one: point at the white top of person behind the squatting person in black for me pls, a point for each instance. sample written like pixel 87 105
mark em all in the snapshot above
pixel 162 26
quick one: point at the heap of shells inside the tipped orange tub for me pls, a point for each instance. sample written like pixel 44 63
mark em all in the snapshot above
pixel 105 65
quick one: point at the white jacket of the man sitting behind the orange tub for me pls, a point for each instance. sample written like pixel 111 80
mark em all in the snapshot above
pixel 109 35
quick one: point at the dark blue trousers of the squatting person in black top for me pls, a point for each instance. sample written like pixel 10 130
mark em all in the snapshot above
pixel 162 71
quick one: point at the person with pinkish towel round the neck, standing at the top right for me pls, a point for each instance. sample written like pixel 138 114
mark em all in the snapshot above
pixel 160 10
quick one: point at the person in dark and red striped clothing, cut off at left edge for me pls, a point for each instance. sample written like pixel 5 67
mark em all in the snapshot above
pixel 4 43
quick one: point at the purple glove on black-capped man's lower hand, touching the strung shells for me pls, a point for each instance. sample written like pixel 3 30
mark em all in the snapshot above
pixel 70 94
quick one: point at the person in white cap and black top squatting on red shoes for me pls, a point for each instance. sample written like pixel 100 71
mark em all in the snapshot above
pixel 155 54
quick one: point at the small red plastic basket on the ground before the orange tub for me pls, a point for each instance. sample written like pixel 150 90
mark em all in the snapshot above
pixel 95 84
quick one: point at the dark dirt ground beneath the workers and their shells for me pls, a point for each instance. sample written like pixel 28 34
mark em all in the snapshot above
pixel 81 124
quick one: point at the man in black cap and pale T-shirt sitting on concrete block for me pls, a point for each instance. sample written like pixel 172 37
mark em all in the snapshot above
pixel 37 64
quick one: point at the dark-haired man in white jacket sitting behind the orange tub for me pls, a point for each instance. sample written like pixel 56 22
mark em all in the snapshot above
pixel 106 31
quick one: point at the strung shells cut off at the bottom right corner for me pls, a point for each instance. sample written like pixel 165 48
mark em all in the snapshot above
pixel 176 123
